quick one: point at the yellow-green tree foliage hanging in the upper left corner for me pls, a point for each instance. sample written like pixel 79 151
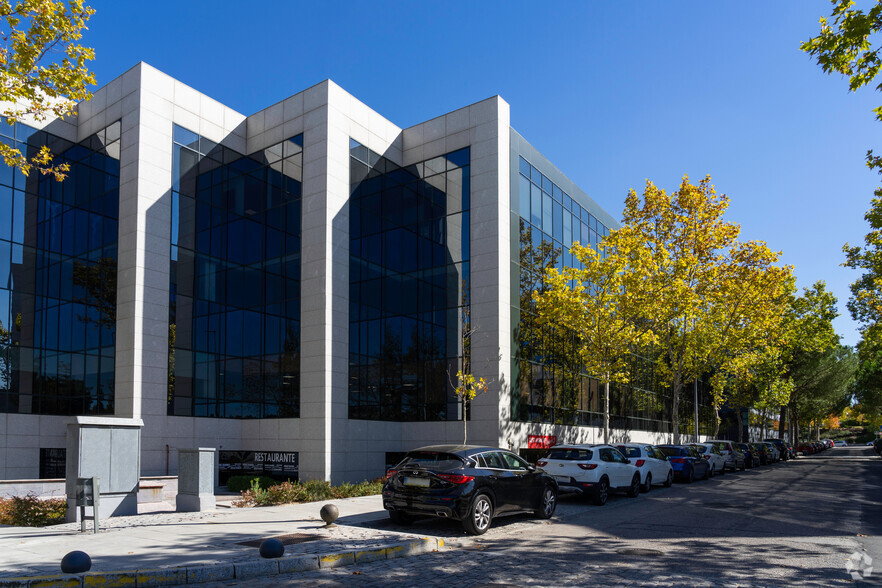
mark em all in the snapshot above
pixel 42 69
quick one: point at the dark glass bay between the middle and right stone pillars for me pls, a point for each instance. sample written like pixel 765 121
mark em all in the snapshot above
pixel 409 293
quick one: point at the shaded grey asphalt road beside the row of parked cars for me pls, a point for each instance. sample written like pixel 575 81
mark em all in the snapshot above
pixel 794 523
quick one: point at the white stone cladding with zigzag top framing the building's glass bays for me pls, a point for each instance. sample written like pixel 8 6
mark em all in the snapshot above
pixel 331 446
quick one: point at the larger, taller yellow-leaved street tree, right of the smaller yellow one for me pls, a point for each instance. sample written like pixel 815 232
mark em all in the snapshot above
pixel 711 296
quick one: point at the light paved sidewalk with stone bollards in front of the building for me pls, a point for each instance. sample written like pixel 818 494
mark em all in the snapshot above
pixel 168 548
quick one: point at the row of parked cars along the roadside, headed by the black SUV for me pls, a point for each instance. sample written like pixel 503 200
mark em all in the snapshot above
pixel 474 484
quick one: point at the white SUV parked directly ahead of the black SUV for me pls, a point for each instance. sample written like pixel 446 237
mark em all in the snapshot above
pixel 593 470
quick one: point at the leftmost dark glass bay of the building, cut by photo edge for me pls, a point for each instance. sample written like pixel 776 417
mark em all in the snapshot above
pixel 58 253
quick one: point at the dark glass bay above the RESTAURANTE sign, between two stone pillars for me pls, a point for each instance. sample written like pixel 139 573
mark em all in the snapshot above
pixel 234 295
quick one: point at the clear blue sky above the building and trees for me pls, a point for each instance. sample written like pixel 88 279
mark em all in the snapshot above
pixel 613 93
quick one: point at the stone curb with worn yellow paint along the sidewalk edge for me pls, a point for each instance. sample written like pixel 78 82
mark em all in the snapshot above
pixel 199 574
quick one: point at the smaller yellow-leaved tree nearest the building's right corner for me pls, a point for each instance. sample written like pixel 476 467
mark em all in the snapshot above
pixel 603 303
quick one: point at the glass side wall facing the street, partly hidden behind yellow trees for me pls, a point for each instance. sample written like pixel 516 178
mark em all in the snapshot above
pixel 551 384
